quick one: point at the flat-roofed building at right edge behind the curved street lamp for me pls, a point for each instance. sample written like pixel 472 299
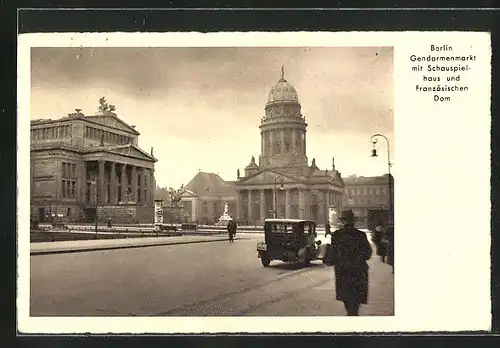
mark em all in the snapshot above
pixel 369 198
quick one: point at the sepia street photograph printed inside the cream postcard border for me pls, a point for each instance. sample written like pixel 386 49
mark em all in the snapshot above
pixel 211 181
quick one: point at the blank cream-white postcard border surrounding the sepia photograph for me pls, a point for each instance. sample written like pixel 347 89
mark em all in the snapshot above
pixel 422 303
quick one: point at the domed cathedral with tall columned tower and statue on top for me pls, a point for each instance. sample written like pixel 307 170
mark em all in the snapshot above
pixel 283 184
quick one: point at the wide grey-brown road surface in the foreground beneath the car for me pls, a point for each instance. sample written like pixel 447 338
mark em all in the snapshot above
pixel 206 279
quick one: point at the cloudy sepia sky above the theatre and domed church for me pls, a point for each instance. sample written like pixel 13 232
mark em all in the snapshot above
pixel 200 108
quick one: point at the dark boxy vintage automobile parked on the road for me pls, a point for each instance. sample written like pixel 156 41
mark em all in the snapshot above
pixel 290 240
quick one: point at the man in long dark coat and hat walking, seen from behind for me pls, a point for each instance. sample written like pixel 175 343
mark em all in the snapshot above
pixel 350 251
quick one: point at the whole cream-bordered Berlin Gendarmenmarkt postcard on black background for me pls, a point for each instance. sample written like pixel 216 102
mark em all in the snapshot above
pixel 195 182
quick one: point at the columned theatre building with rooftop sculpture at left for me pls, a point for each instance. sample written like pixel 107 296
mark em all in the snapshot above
pixel 87 165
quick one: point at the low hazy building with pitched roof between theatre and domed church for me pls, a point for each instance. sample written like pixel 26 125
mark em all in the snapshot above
pixel 205 196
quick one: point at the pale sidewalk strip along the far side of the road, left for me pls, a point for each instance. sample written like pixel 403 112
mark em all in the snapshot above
pixel 105 244
